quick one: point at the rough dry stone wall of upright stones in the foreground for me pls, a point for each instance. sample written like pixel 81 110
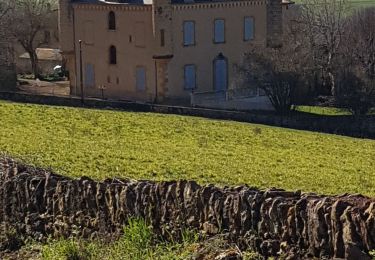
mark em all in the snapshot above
pixel 39 203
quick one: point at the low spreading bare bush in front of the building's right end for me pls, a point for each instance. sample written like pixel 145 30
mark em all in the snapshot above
pixel 276 71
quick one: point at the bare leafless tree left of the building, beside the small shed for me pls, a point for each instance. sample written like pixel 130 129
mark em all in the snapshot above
pixel 27 21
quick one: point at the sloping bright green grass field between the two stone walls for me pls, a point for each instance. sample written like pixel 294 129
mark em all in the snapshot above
pixel 103 143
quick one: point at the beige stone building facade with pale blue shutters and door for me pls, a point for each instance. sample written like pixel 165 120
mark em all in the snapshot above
pixel 163 50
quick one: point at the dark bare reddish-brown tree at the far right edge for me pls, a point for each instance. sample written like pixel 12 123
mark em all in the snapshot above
pixel 356 81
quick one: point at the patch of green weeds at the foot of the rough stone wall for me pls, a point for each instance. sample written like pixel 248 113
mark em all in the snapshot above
pixel 138 242
